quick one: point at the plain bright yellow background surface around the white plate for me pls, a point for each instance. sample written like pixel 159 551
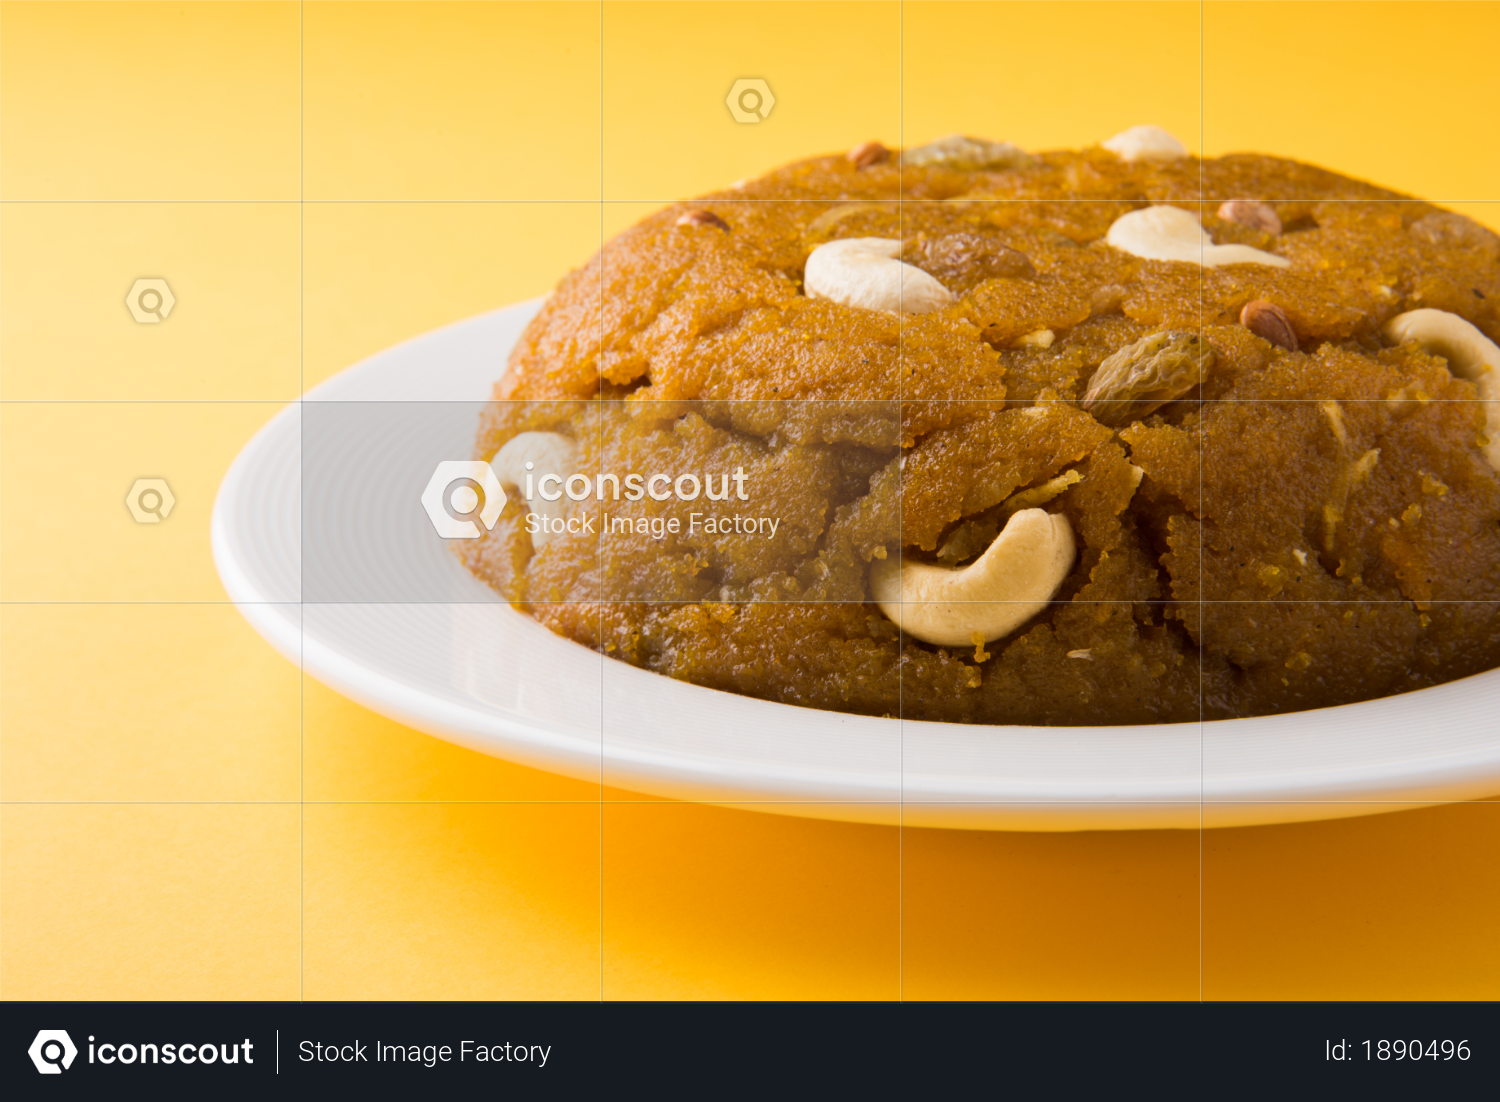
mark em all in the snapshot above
pixel 185 816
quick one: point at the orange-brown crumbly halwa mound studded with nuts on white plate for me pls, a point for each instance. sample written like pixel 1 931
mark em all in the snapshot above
pixel 1241 551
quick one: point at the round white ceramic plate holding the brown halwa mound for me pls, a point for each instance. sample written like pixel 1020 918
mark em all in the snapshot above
pixel 461 665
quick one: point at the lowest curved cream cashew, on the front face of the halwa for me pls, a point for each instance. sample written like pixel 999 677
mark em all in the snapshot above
pixel 994 596
